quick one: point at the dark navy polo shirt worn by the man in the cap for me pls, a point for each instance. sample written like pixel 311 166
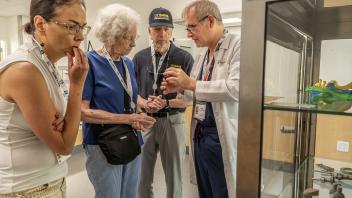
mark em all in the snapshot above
pixel 145 70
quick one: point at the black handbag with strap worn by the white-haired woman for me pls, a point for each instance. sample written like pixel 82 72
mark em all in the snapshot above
pixel 118 142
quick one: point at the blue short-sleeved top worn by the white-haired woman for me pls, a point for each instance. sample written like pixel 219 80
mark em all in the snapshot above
pixel 104 90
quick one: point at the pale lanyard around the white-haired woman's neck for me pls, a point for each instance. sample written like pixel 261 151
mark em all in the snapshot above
pixel 128 86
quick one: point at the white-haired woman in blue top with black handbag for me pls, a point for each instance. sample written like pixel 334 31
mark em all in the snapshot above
pixel 109 107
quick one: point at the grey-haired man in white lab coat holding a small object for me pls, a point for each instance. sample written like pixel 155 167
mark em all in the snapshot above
pixel 213 86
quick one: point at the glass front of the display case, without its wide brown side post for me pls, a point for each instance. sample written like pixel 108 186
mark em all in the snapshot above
pixel 306 110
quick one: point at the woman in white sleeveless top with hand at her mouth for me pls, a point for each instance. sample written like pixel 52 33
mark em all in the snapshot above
pixel 33 139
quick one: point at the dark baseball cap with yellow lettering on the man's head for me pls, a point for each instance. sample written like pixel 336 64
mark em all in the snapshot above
pixel 160 17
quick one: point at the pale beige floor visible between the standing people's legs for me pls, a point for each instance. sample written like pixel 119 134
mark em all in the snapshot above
pixel 78 184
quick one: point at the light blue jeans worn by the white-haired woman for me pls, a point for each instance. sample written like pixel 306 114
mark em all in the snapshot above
pixel 111 181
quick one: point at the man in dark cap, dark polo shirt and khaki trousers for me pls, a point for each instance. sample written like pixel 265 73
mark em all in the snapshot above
pixel 168 133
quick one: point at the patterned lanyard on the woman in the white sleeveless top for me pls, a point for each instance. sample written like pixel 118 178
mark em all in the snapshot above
pixel 53 71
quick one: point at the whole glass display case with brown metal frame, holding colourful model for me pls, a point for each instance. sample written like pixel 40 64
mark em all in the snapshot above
pixel 295 118
